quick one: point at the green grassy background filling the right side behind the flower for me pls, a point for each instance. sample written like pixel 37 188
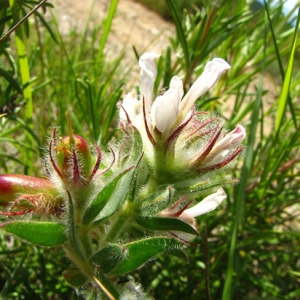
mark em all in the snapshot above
pixel 249 237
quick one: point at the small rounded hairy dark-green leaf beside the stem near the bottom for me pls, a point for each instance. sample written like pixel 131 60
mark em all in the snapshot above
pixel 108 257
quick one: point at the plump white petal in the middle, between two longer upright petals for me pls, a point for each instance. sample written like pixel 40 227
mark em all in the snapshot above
pixel 165 108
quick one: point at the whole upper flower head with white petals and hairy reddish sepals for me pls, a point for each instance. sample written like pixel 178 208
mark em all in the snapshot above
pixel 177 140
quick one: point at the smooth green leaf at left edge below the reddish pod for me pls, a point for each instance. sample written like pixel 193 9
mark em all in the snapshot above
pixel 47 234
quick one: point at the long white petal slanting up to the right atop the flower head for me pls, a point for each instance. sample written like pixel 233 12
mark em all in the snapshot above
pixel 212 72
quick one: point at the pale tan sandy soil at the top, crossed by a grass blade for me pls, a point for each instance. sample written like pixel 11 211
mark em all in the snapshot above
pixel 133 25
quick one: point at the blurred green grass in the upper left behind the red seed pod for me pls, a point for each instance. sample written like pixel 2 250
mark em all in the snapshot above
pixel 64 70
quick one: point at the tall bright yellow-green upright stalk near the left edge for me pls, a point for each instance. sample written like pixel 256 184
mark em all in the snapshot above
pixel 25 75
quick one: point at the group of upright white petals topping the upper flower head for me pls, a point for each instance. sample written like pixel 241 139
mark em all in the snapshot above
pixel 168 109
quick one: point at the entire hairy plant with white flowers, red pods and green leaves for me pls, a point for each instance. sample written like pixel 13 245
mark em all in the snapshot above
pixel 111 212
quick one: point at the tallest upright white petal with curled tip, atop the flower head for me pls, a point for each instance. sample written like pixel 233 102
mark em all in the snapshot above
pixel 148 75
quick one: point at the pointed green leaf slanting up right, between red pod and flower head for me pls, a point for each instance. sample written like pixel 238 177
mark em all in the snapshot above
pixel 109 193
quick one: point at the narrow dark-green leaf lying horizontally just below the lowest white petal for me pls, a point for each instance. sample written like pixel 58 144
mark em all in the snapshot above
pixel 165 224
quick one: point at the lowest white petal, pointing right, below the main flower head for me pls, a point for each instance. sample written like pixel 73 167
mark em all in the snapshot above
pixel 207 205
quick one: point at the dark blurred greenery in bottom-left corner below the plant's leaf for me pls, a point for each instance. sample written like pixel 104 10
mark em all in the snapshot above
pixel 31 272
